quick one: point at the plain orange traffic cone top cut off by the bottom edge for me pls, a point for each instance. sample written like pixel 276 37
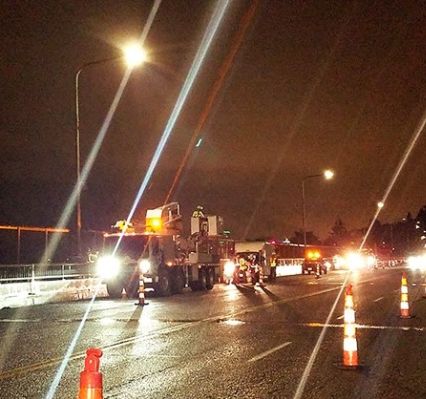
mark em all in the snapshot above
pixel 90 377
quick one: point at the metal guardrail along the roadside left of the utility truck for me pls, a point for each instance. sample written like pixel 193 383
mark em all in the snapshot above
pixel 46 272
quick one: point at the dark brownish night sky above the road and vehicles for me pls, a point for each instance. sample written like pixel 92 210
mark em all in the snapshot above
pixel 315 85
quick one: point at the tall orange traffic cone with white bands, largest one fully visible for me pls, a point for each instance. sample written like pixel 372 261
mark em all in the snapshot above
pixel 350 347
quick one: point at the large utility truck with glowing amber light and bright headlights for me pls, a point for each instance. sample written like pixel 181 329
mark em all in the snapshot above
pixel 165 259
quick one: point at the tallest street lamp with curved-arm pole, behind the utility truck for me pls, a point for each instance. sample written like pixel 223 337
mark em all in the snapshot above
pixel 133 55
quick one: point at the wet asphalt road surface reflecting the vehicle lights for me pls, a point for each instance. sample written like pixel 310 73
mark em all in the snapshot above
pixel 228 343
